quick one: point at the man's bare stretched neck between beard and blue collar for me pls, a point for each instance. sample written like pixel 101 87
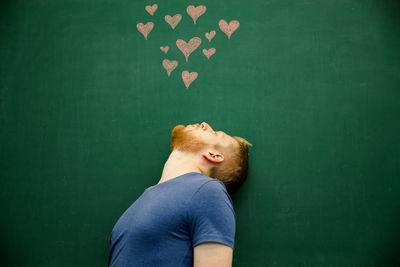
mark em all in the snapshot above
pixel 179 163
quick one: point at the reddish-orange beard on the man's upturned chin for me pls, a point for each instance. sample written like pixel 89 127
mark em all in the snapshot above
pixel 185 141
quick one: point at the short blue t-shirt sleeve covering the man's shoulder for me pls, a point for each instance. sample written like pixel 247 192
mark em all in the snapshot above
pixel 211 215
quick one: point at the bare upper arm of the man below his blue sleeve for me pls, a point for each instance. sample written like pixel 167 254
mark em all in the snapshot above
pixel 212 254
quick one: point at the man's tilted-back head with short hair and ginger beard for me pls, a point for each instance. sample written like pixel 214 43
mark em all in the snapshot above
pixel 222 156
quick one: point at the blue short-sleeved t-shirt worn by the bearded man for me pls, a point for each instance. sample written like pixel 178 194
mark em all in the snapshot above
pixel 169 219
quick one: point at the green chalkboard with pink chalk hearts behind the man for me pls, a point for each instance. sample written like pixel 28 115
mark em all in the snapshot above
pixel 87 108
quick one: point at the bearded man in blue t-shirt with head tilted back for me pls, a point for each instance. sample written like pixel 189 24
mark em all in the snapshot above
pixel 187 219
